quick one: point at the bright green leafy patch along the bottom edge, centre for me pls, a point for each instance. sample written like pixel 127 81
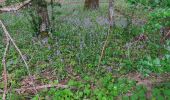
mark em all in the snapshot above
pixel 108 89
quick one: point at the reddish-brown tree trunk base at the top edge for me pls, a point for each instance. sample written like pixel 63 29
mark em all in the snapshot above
pixel 91 4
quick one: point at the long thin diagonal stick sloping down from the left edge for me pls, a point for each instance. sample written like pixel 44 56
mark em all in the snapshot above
pixel 20 53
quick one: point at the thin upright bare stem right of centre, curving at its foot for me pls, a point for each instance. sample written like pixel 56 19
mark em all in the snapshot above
pixel 111 13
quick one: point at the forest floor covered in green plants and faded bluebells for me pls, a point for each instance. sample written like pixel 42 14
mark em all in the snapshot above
pixel 135 64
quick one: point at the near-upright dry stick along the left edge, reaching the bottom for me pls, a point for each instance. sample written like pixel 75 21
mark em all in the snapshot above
pixel 5 69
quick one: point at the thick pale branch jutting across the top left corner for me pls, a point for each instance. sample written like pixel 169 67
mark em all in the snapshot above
pixel 15 7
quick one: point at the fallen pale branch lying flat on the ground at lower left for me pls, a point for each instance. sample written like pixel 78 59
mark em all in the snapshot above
pixel 22 90
